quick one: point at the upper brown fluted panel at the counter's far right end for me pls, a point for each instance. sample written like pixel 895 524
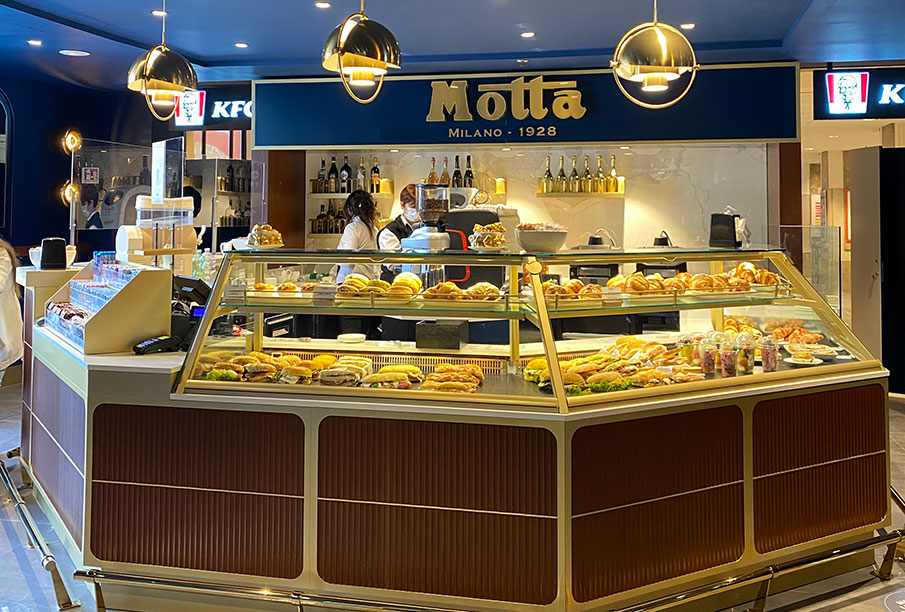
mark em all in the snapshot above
pixel 804 430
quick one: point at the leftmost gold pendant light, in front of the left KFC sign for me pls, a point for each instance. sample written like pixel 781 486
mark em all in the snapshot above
pixel 161 75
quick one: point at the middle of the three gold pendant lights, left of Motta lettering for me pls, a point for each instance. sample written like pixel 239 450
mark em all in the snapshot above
pixel 361 50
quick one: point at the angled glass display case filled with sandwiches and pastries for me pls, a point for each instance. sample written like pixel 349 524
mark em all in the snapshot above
pixel 485 328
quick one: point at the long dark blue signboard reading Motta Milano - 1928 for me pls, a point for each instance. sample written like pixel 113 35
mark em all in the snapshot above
pixel 725 104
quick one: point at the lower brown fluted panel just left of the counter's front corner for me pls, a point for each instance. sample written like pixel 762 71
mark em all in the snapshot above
pixel 444 552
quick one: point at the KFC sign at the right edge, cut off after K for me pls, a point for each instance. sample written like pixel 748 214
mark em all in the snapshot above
pixel 878 93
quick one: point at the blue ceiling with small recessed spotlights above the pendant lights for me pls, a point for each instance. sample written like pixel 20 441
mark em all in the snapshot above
pixel 285 36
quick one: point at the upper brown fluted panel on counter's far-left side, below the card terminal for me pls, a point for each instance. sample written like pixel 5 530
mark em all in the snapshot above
pixel 61 410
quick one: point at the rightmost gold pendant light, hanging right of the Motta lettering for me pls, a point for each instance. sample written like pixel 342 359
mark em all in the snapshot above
pixel 654 54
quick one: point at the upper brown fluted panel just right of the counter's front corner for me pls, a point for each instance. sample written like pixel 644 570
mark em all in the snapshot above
pixel 630 461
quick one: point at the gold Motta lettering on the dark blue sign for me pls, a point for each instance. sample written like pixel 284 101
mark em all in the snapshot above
pixel 526 99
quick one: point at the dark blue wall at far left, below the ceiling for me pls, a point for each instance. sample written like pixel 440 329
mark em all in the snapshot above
pixel 42 110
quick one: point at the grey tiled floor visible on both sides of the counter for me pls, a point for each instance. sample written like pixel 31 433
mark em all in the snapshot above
pixel 24 582
